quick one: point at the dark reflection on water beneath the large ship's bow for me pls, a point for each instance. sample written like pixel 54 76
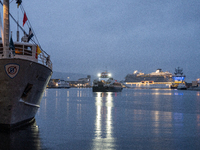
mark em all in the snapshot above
pixel 20 139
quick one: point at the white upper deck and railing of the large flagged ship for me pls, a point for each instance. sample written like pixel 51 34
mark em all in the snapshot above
pixel 29 51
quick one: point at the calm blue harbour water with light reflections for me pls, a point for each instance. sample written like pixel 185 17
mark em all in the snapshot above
pixel 131 119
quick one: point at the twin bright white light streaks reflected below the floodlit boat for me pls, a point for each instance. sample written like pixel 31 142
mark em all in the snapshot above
pixel 104 123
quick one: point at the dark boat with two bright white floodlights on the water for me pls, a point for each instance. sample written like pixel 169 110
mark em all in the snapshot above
pixel 105 83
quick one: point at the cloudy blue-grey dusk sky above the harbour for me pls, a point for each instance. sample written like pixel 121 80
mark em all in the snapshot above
pixel 120 36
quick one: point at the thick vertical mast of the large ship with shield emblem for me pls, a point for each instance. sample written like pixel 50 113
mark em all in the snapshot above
pixel 6 51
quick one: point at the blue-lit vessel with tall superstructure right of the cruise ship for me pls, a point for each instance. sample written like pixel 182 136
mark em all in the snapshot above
pixel 178 80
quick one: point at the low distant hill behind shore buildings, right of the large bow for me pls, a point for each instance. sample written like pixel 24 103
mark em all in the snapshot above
pixel 68 76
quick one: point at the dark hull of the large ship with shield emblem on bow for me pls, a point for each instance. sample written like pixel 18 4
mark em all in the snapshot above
pixel 21 90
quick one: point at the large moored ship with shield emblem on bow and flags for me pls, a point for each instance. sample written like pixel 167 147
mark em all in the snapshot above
pixel 25 70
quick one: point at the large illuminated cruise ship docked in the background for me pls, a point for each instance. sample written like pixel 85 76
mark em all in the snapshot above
pixel 158 79
